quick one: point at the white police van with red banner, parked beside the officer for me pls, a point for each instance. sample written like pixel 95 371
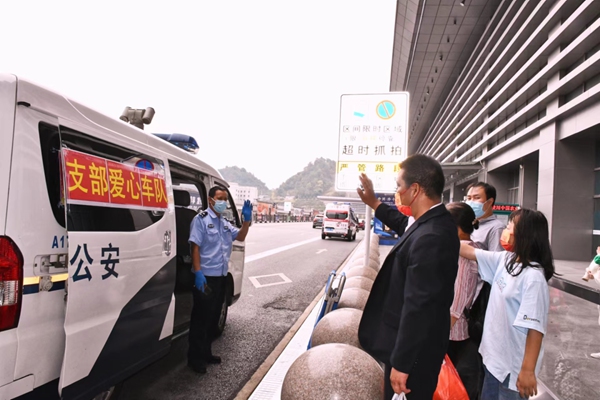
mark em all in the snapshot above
pixel 95 214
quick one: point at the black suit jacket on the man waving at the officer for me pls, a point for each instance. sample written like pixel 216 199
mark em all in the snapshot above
pixel 407 317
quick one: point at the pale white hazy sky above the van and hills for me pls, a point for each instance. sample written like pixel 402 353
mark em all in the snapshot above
pixel 257 83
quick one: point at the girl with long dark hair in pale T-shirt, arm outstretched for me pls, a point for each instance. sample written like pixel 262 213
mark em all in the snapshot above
pixel 517 312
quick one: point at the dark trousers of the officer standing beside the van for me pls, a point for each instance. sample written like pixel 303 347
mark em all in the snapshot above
pixel 205 318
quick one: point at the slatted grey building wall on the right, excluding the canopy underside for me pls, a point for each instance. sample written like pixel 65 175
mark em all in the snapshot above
pixel 535 126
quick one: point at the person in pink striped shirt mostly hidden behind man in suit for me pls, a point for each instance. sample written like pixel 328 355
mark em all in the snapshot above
pixel 461 349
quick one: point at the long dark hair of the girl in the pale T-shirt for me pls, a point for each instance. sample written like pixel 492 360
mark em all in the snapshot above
pixel 532 243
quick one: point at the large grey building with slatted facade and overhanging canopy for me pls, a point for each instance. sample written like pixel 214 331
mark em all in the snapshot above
pixel 507 92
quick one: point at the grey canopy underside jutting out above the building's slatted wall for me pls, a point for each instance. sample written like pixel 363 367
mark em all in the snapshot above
pixel 432 43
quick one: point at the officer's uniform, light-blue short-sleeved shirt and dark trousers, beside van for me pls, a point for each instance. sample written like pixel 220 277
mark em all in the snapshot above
pixel 214 236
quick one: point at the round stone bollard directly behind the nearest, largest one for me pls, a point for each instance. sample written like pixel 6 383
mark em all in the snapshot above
pixel 338 326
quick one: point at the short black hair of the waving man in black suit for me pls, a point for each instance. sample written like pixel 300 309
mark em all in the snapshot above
pixel 425 171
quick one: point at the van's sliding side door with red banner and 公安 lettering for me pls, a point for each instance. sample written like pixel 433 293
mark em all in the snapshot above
pixel 121 262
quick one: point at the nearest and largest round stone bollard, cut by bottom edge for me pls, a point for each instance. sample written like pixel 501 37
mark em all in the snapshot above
pixel 333 371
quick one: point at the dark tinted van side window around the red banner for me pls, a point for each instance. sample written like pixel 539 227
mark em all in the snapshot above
pixel 85 217
